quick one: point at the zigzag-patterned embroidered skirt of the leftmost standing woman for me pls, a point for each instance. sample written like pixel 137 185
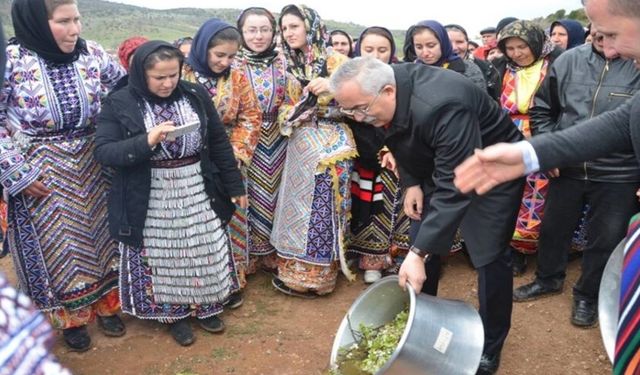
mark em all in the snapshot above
pixel 61 247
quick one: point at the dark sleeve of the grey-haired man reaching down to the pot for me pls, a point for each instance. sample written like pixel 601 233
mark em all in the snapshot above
pixel 455 135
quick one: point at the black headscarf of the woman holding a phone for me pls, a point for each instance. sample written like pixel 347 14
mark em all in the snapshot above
pixel 137 74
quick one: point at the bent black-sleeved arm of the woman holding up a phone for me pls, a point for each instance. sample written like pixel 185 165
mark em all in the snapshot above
pixel 113 147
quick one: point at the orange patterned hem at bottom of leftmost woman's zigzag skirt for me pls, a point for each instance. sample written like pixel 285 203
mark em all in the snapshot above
pixel 107 305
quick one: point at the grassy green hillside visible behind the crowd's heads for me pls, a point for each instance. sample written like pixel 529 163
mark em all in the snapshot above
pixel 110 23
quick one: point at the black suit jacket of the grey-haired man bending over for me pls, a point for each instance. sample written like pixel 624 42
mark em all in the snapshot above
pixel 440 118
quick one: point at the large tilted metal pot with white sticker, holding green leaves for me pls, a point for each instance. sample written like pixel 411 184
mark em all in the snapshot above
pixel 441 337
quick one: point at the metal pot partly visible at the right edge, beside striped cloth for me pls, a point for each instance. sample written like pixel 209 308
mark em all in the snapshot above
pixel 609 297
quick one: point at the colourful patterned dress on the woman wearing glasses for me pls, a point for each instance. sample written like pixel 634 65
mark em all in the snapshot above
pixel 277 91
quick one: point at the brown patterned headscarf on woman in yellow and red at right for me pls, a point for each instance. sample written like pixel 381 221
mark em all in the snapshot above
pixel 530 33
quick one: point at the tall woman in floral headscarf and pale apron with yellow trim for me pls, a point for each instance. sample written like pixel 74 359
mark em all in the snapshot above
pixel 310 223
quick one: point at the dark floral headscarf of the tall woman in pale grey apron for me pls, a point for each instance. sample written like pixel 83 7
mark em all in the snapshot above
pixel 310 63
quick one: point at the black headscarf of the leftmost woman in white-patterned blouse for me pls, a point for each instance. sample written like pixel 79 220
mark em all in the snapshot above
pixel 31 26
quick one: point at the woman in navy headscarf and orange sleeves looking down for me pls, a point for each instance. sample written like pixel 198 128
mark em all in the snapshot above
pixel 209 64
